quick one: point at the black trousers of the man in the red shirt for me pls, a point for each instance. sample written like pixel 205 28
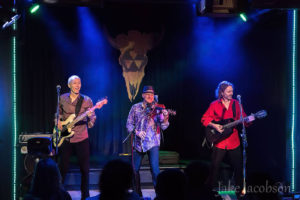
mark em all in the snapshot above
pixel 235 156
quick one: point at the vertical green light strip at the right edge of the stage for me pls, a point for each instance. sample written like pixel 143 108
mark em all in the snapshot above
pixel 294 80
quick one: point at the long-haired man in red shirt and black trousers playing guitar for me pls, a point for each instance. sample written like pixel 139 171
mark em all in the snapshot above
pixel 225 107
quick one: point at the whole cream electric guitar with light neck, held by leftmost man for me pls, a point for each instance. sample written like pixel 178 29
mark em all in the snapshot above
pixel 70 122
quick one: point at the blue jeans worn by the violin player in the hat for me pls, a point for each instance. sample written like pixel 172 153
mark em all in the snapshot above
pixel 153 155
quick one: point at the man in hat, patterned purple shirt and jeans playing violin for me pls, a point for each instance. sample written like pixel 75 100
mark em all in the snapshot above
pixel 146 120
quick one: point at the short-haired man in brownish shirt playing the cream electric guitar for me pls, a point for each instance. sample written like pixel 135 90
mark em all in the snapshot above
pixel 76 103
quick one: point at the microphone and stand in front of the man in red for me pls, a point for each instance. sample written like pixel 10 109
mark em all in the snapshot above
pixel 245 144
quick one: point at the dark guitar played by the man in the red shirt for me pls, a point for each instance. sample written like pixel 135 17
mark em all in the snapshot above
pixel 213 136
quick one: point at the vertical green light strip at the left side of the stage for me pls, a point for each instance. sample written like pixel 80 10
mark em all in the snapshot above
pixel 14 104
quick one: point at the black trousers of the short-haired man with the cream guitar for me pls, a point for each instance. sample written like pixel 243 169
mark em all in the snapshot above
pixel 82 151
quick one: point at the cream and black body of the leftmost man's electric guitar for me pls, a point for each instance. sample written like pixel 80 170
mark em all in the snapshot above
pixel 65 132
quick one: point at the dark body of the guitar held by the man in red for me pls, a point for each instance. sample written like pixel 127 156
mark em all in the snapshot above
pixel 213 136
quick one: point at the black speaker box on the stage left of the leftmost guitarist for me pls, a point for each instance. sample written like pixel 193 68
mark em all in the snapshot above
pixel 39 146
